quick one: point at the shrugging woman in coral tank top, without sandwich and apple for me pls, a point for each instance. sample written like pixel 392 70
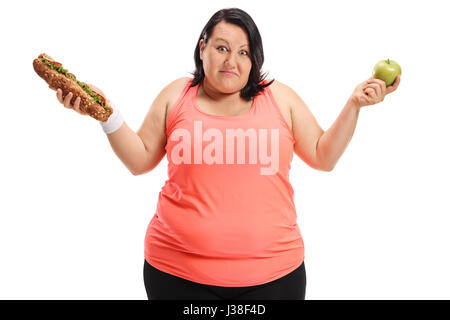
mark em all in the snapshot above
pixel 225 225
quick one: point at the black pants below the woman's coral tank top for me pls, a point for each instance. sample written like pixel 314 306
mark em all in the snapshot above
pixel 163 286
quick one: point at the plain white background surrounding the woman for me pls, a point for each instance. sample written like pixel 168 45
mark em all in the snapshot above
pixel 73 218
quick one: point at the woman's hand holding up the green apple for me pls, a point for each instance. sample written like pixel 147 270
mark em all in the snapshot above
pixel 372 91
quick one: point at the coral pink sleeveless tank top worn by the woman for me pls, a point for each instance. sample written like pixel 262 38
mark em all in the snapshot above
pixel 226 214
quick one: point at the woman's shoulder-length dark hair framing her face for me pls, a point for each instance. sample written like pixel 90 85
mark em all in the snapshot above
pixel 242 19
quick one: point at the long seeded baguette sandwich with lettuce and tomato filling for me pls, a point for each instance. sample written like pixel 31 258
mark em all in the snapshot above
pixel 56 76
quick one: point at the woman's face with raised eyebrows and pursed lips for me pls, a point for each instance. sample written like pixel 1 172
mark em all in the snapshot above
pixel 228 49
